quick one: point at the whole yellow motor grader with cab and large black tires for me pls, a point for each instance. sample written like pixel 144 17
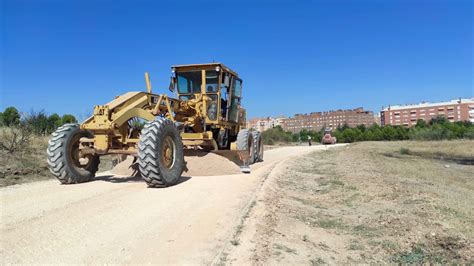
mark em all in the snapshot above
pixel 155 128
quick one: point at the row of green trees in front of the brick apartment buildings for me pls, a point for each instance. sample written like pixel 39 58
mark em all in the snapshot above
pixel 438 128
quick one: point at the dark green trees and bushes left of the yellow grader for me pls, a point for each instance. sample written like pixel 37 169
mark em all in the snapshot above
pixel 38 122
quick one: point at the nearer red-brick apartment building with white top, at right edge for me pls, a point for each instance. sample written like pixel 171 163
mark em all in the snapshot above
pixel 407 115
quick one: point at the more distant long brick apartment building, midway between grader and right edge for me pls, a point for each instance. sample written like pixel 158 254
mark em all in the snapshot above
pixel 317 120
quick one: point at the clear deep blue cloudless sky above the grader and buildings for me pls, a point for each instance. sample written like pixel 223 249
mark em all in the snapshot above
pixel 294 56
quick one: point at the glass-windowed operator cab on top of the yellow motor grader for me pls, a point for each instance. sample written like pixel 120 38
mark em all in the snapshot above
pixel 217 84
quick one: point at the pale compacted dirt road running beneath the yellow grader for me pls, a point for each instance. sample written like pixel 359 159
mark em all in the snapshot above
pixel 119 220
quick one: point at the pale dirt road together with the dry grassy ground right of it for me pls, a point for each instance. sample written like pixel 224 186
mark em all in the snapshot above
pixel 371 202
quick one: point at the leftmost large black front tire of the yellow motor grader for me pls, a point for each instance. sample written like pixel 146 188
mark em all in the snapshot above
pixel 63 156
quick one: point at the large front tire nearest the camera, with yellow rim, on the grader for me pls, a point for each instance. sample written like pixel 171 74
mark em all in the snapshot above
pixel 160 153
